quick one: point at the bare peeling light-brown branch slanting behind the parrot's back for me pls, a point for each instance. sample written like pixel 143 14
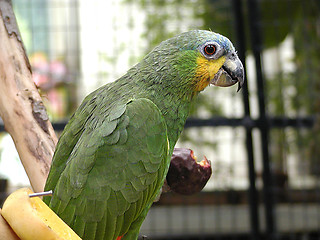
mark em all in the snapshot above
pixel 21 107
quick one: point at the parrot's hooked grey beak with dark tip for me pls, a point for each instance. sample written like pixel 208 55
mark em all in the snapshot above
pixel 230 73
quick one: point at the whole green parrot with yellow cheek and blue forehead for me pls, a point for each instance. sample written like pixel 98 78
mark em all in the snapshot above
pixel 113 155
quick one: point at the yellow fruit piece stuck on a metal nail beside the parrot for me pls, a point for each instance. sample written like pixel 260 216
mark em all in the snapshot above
pixel 31 218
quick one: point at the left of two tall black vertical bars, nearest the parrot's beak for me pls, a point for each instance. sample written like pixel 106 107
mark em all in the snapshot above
pixel 252 190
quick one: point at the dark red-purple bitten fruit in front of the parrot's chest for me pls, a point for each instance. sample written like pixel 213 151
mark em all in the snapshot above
pixel 186 176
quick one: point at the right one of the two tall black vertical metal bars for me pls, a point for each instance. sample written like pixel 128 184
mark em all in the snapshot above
pixel 256 42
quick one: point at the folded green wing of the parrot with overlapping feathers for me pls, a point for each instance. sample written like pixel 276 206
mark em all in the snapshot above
pixel 114 171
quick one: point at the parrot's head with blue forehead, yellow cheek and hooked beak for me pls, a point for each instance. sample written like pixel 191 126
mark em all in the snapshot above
pixel 196 59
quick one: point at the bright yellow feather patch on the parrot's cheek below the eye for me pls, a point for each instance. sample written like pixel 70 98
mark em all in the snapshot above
pixel 206 69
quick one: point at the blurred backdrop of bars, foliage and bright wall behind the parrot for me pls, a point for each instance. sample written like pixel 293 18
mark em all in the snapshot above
pixel 263 142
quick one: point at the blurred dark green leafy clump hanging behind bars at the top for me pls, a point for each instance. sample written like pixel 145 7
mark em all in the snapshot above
pixel 276 17
